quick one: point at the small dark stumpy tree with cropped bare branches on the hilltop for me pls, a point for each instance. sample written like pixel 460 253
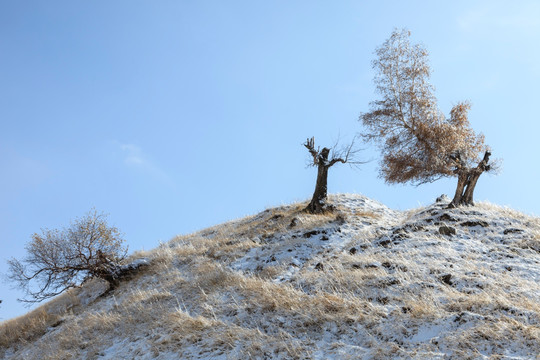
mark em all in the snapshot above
pixel 324 159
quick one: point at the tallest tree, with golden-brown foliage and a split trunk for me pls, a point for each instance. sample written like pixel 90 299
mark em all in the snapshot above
pixel 418 144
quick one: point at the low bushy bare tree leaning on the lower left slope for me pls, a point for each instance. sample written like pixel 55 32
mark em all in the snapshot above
pixel 57 260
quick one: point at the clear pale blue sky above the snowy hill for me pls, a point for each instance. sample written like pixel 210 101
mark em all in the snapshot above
pixel 172 116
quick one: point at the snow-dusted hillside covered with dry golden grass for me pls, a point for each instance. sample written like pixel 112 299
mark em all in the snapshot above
pixel 365 282
